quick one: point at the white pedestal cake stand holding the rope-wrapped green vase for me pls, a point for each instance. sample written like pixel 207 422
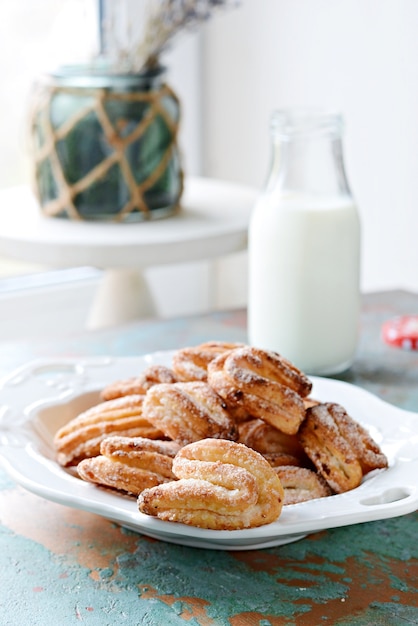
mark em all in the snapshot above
pixel 213 222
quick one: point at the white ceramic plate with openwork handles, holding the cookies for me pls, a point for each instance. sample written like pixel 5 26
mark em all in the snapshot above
pixel 41 396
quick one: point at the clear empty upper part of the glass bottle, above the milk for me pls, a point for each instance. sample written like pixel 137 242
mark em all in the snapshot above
pixel 307 157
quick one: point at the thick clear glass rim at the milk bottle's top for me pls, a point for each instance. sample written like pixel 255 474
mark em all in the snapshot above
pixel 306 121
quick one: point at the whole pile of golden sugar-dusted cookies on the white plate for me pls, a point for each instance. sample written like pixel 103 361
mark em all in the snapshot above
pixel 222 439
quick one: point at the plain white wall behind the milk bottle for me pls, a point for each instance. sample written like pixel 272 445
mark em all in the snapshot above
pixel 359 56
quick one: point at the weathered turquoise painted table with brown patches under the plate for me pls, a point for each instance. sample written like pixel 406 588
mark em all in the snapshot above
pixel 64 566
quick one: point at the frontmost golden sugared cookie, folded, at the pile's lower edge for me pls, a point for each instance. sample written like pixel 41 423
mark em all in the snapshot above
pixel 222 485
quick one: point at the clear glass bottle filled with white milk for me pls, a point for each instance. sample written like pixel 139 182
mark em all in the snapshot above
pixel 304 248
